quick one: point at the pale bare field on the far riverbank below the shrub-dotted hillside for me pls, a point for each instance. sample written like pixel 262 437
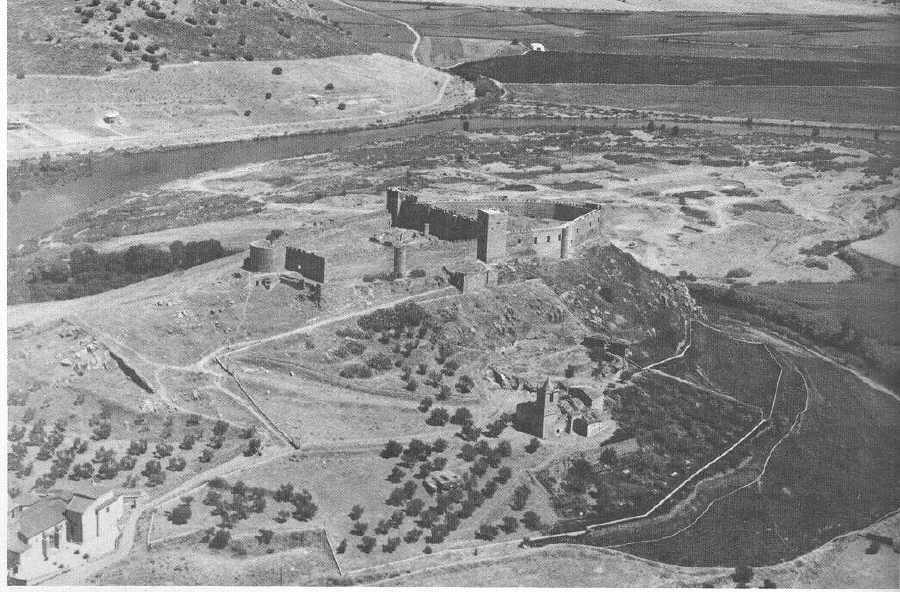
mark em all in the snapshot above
pixel 188 101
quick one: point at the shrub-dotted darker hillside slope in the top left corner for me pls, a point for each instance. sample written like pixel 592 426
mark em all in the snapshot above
pixel 90 37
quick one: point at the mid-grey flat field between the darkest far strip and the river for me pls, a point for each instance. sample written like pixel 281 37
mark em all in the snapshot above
pixel 840 104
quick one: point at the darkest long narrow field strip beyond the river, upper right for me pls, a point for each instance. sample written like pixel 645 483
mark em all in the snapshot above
pixel 538 67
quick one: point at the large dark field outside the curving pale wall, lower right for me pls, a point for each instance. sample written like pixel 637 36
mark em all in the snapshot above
pixel 838 472
